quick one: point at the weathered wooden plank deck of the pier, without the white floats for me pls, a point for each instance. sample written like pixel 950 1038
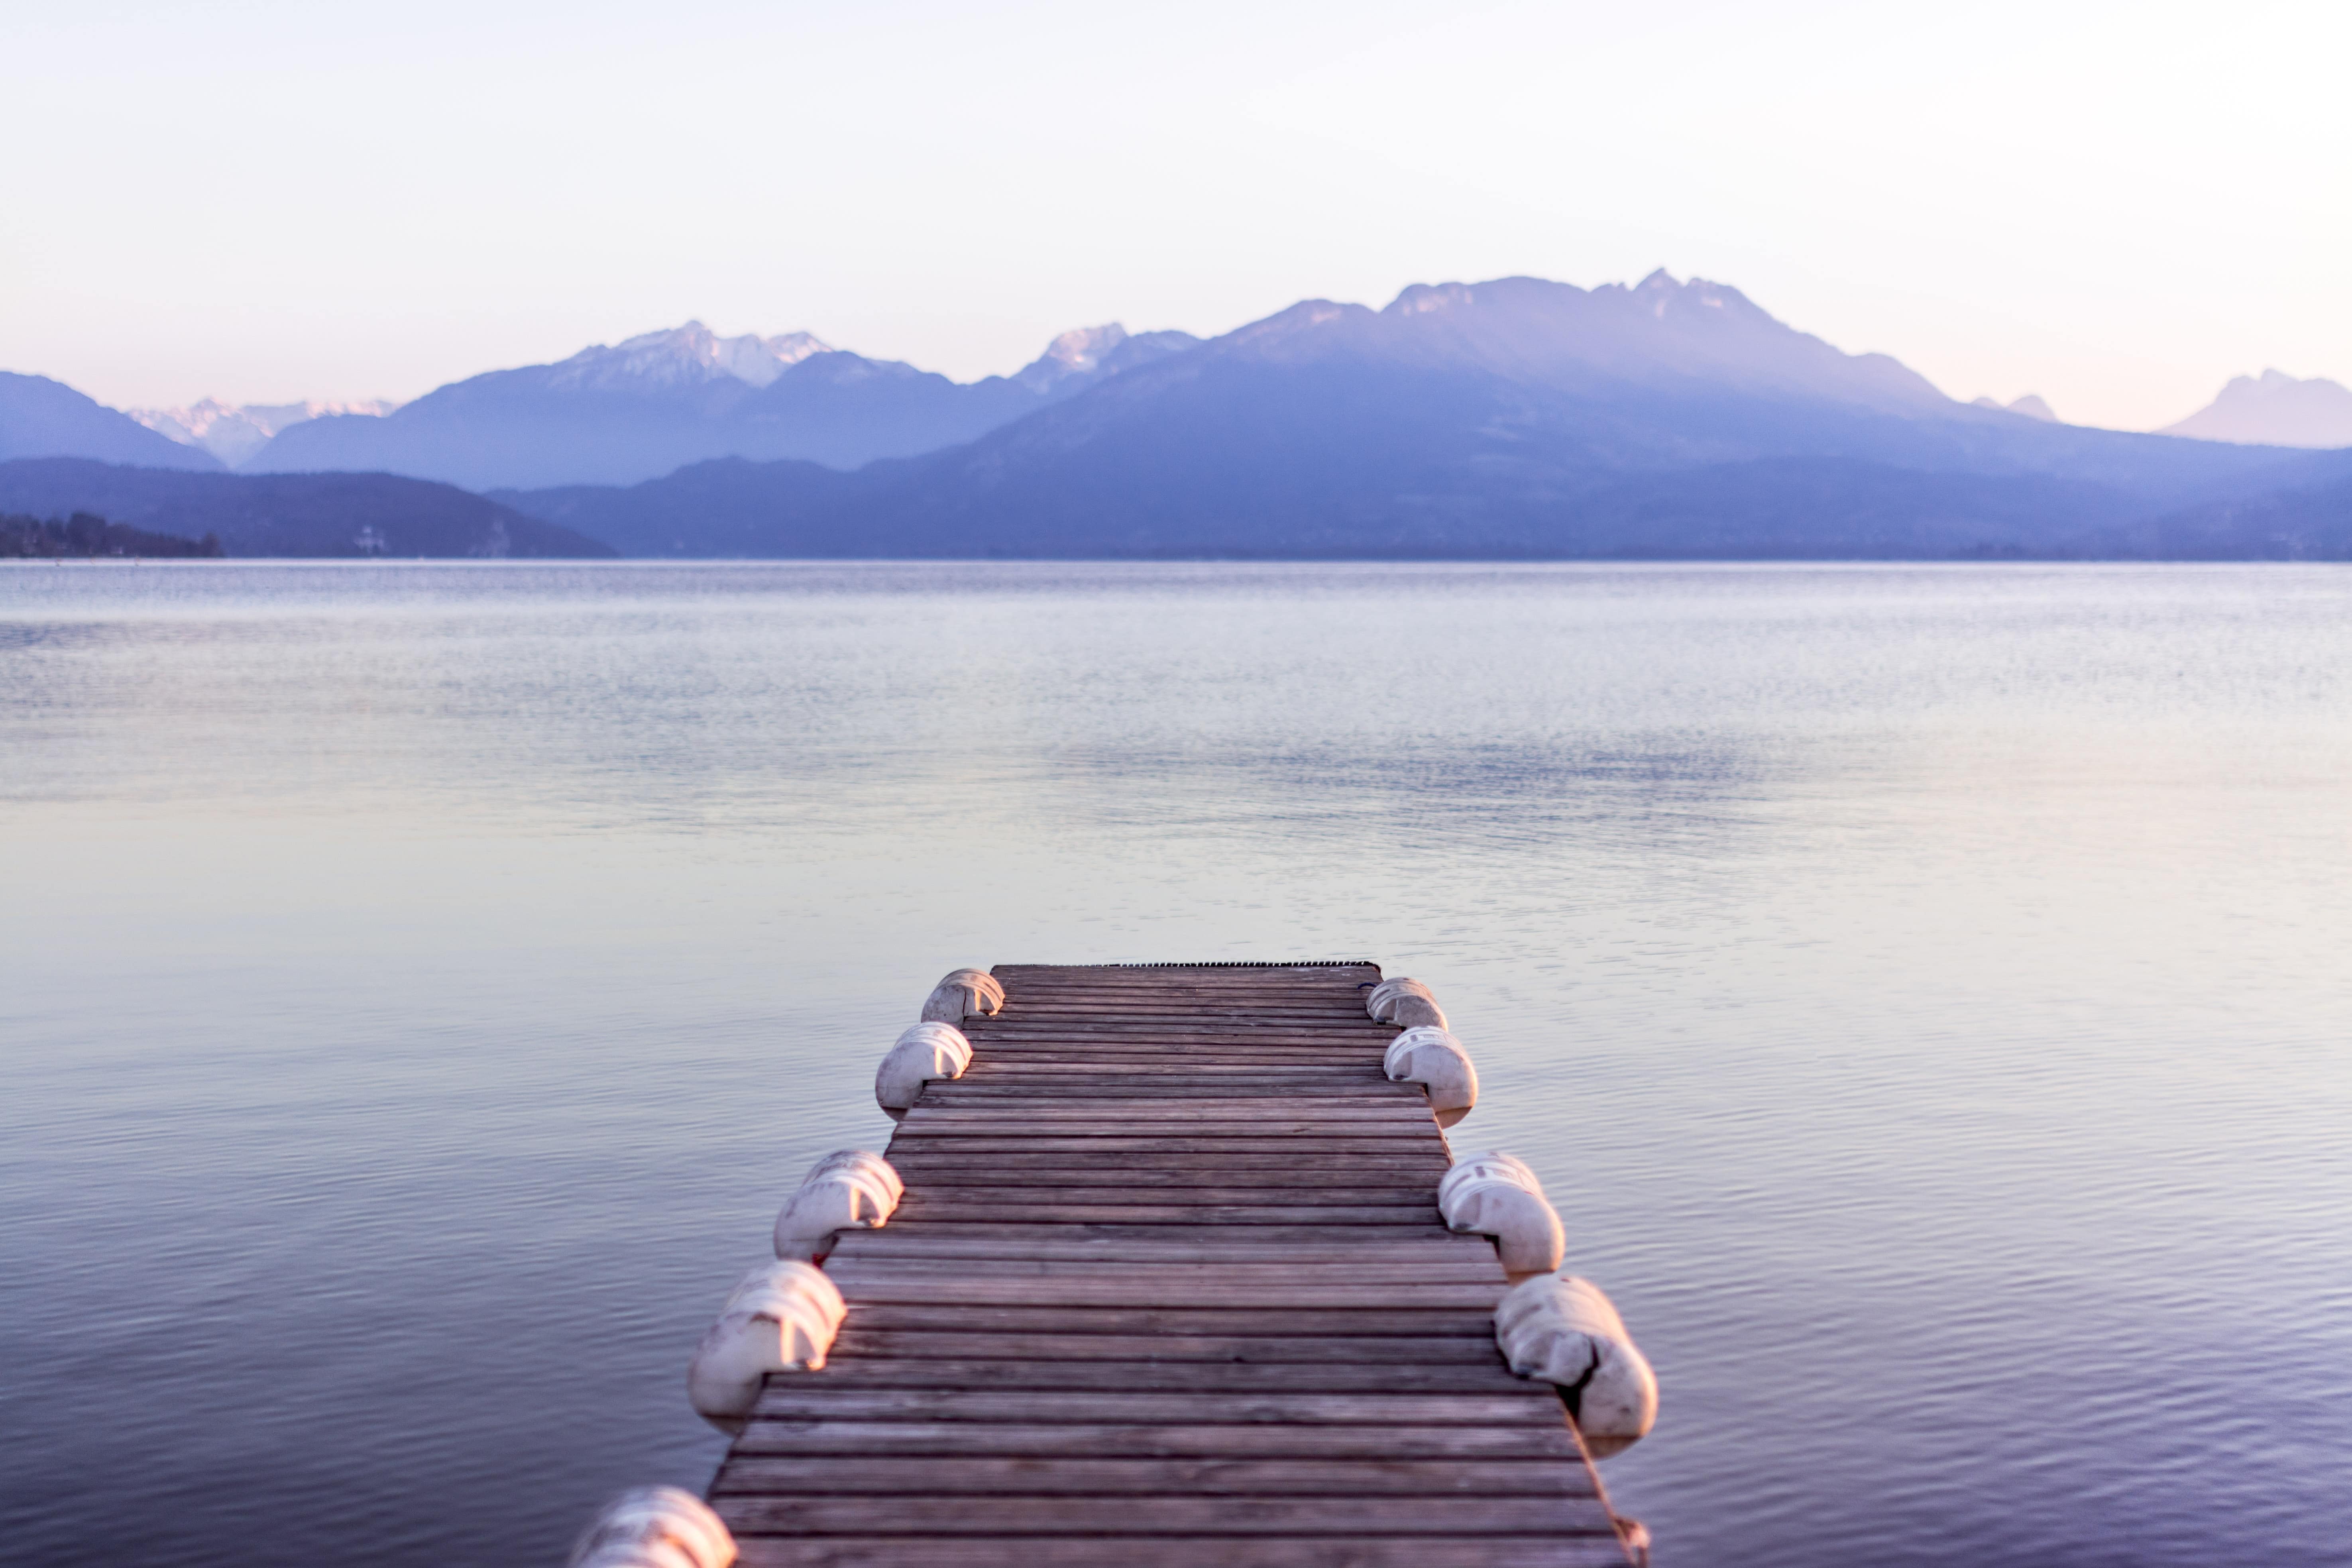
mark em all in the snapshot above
pixel 1168 1287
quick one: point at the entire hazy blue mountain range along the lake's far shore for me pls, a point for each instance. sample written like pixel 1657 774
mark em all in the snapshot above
pixel 1504 420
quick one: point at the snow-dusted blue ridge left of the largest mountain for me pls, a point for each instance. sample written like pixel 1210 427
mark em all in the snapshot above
pixel 667 398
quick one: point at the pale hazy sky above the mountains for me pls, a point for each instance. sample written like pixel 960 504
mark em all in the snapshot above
pixel 2113 206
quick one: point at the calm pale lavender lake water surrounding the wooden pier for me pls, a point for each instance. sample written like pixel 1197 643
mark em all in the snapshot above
pixel 1923 991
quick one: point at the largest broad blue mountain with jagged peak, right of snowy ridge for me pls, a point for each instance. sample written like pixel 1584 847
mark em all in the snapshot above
pixel 1502 420
